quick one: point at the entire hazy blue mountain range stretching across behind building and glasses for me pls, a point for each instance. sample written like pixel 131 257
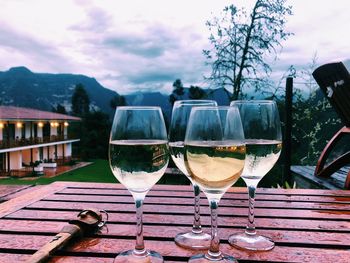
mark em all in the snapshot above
pixel 21 87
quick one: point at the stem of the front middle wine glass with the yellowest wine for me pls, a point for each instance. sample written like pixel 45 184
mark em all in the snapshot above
pixel 214 249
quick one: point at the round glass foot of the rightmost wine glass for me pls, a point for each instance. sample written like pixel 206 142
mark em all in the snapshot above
pixel 251 242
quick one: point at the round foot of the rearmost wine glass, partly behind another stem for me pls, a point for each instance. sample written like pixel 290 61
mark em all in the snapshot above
pixel 191 240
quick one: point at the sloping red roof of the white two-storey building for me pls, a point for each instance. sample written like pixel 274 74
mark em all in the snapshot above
pixel 11 113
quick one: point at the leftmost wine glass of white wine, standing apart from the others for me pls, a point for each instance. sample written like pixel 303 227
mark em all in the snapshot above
pixel 138 156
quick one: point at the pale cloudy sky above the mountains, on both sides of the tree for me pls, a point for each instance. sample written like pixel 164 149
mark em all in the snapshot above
pixel 145 45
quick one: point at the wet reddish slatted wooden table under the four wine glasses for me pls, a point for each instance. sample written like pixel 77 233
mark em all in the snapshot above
pixel 307 225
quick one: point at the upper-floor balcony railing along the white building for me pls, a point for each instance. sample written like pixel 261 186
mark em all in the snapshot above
pixel 13 143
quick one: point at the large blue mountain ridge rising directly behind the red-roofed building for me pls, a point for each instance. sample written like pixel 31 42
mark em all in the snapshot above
pixel 21 87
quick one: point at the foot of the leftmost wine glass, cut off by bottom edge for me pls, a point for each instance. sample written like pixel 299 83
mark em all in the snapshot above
pixel 131 257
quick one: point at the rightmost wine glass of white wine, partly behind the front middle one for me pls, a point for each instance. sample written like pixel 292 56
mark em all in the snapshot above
pixel 262 131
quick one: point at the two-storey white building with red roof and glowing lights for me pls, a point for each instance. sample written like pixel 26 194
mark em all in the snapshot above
pixel 29 135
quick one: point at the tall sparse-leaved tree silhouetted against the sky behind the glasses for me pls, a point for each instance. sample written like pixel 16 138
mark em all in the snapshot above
pixel 242 42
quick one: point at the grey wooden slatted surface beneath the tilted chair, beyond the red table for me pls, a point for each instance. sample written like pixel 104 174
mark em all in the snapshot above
pixel 304 176
